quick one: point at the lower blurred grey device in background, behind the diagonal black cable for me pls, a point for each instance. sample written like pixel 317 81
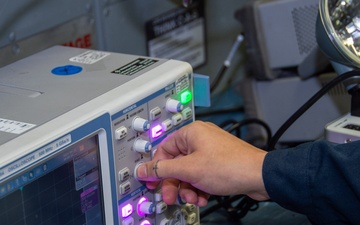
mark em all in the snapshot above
pixel 274 102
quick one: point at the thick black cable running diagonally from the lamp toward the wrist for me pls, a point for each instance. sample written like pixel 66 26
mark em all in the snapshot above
pixel 308 104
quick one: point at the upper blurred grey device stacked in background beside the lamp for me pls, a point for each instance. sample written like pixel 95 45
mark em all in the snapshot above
pixel 280 38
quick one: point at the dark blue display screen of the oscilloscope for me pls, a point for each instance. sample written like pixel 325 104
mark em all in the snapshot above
pixel 62 190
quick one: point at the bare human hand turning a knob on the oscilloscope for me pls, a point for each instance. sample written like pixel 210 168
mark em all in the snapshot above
pixel 202 159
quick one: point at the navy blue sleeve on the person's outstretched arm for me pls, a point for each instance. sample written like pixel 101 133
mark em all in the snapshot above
pixel 318 179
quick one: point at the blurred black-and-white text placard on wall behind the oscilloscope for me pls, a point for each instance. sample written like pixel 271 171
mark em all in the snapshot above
pixel 178 34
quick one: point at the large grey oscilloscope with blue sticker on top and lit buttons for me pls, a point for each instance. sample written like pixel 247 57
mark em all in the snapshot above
pixel 75 123
